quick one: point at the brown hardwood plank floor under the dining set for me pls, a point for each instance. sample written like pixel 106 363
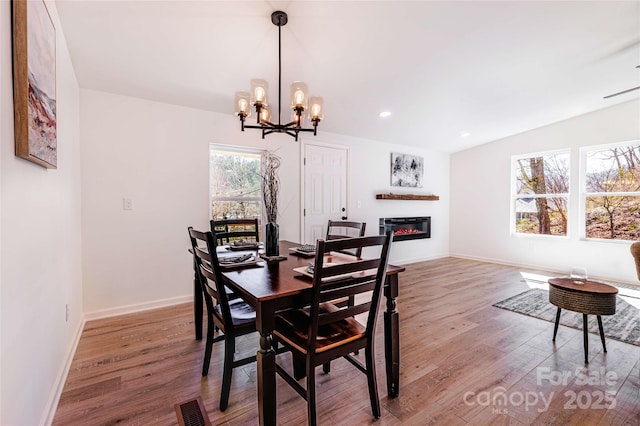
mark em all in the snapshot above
pixel 463 362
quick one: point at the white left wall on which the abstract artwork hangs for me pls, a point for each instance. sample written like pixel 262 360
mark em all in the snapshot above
pixel 39 249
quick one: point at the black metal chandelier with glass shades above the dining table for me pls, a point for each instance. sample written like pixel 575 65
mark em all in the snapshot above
pixel 299 100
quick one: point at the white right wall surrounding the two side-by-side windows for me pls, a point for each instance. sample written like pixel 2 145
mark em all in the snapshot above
pixel 480 198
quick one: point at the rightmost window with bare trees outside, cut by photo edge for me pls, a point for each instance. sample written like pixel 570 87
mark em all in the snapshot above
pixel 611 191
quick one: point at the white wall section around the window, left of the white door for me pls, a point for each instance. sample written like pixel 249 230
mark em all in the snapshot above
pixel 158 155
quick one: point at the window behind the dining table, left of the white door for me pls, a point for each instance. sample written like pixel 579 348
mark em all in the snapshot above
pixel 235 184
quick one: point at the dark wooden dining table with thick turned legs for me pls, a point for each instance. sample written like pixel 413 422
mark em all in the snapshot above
pixel 272 286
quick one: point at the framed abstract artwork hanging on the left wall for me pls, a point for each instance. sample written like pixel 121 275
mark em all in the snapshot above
pixel 34 83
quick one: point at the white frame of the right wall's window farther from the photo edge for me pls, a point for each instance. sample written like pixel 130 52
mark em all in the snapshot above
pixel 514 196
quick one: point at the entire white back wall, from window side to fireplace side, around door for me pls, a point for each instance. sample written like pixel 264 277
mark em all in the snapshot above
pixel 157 154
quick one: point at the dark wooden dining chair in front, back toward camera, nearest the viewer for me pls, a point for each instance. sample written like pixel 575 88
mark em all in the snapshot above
pixel 322 331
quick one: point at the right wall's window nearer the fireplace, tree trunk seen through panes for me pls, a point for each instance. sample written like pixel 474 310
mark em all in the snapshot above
pixel 540 193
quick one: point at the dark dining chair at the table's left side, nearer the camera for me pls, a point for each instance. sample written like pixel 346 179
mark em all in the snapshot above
pixel 232 317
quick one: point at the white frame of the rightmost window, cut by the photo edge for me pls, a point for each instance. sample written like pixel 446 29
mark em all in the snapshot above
pixel 583 194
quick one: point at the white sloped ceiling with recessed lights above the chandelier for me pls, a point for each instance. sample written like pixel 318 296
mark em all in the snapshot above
pixel 443 68
